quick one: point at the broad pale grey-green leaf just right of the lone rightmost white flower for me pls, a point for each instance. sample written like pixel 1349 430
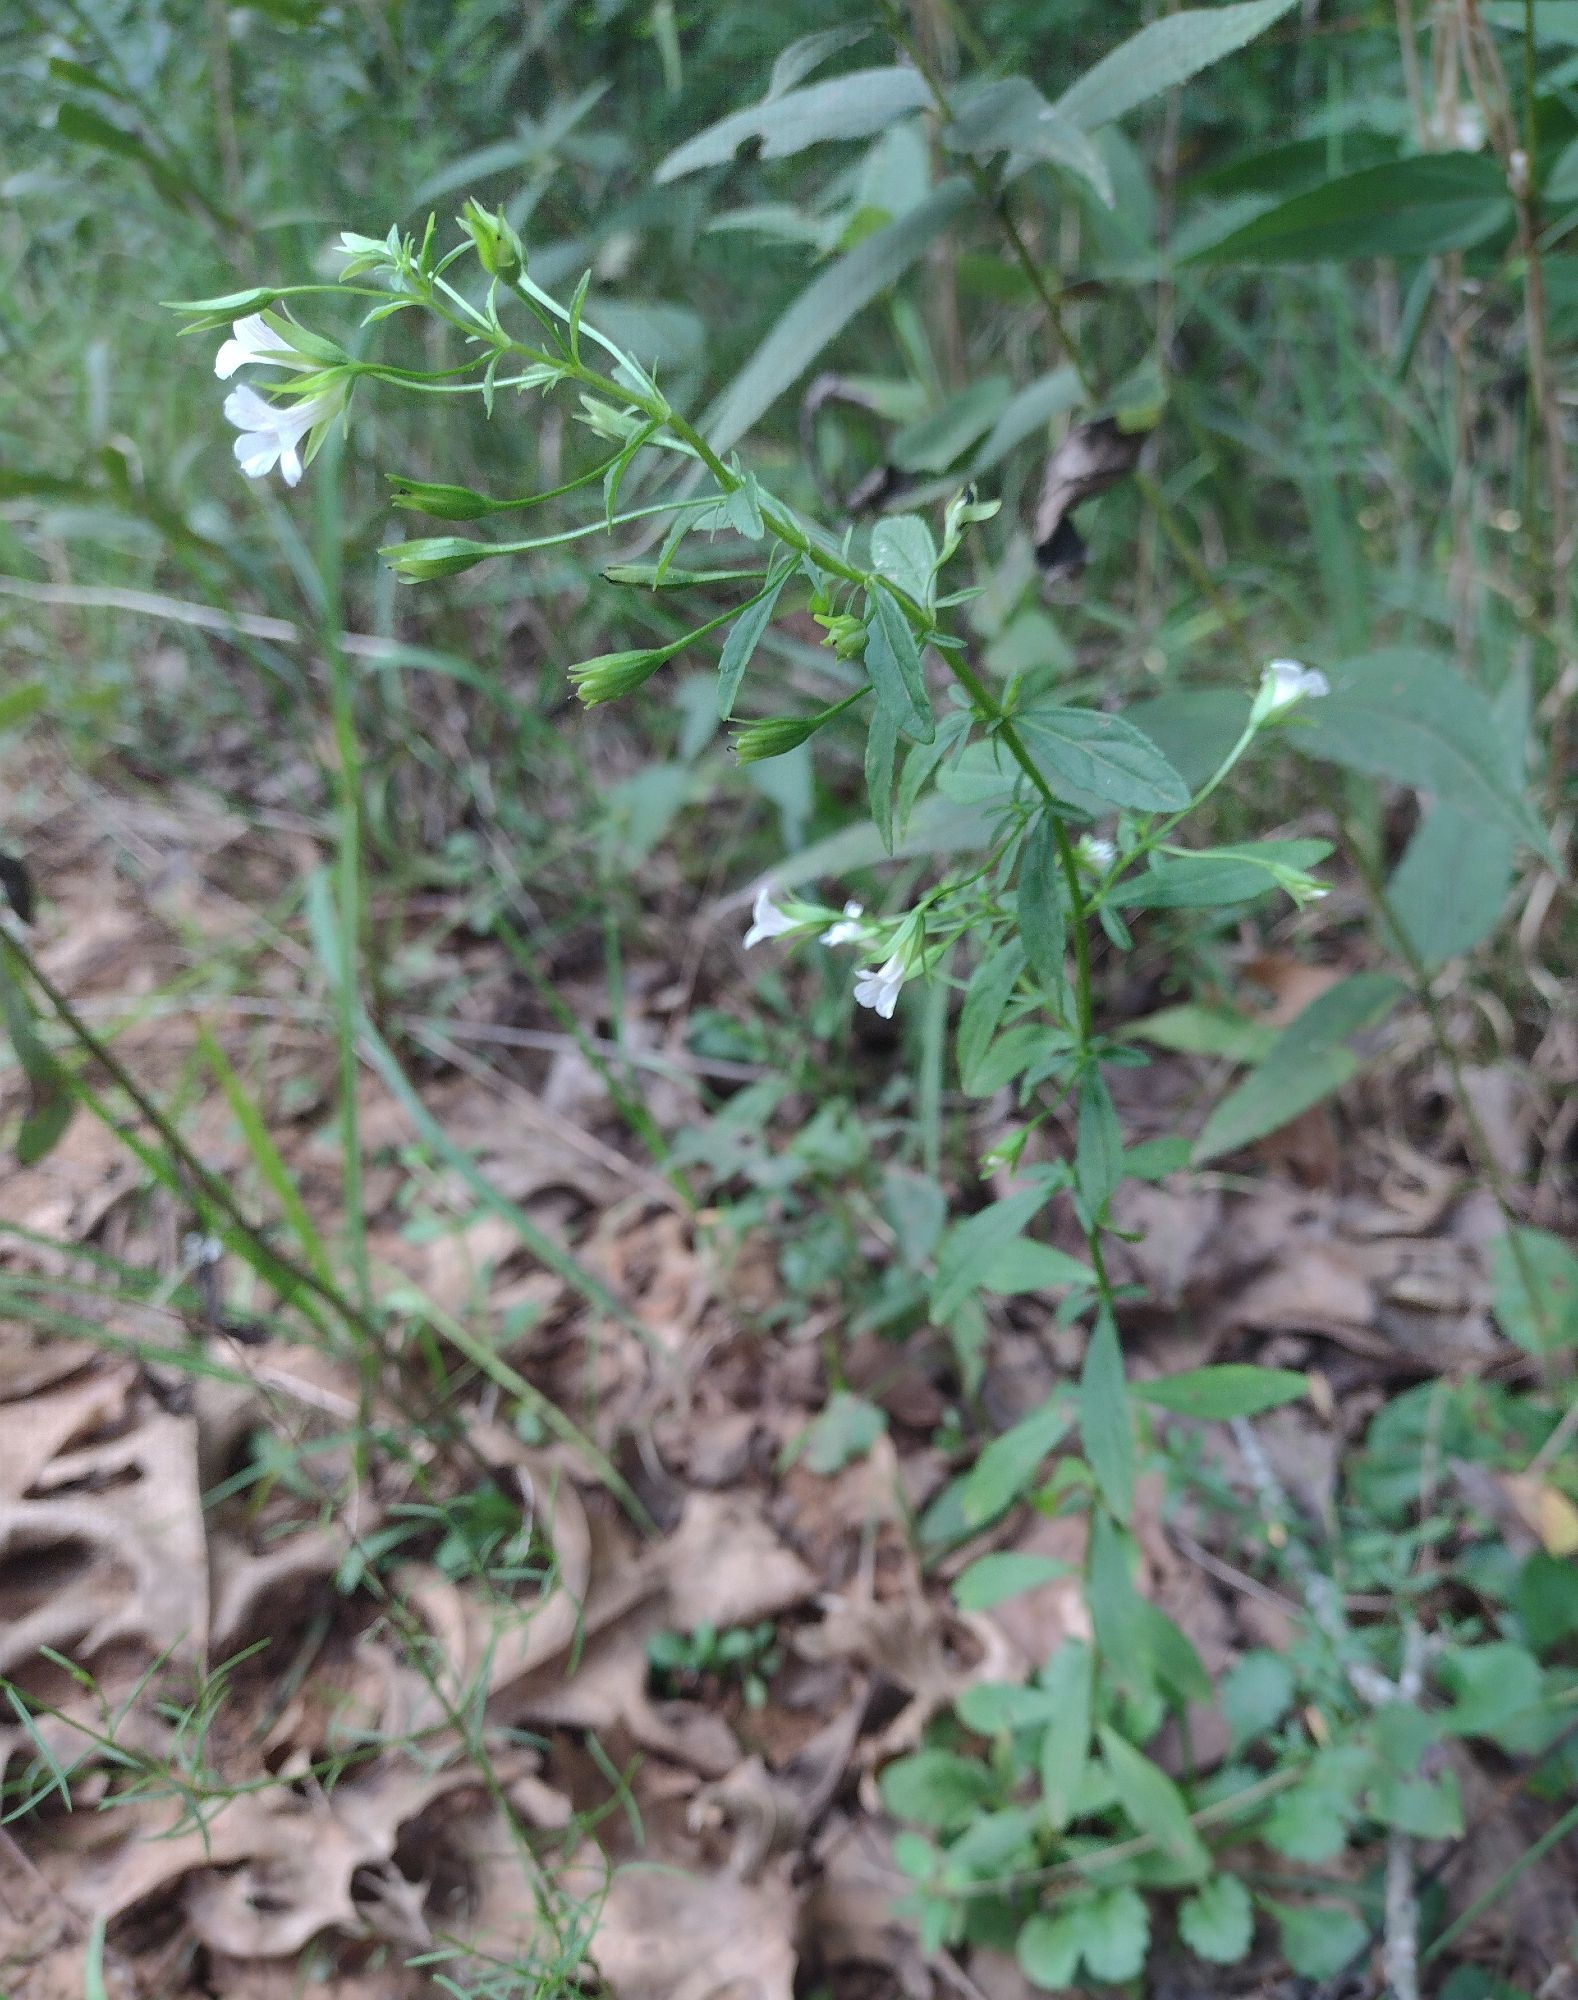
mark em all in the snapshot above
pixel 1415 719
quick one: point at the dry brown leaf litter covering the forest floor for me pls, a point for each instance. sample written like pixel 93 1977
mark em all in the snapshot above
pixel 301 1769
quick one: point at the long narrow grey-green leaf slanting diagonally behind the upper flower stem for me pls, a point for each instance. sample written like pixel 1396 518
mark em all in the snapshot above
pixel 827 307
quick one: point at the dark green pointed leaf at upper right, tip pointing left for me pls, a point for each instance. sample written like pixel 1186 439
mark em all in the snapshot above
pixel 1407 209
